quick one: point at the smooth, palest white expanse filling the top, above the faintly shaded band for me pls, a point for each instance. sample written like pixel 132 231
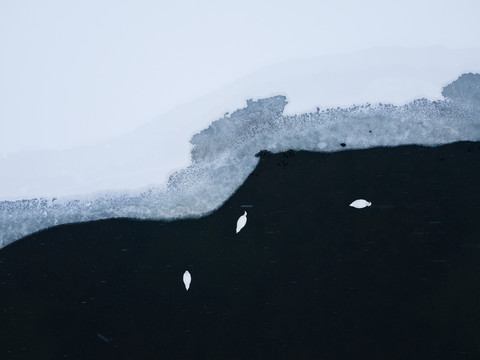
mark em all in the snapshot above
pixel 76 72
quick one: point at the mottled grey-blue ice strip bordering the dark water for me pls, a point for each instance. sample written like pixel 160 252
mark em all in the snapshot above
pixel 223 155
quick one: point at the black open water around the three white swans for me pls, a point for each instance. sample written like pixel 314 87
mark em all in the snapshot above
pixel 308 277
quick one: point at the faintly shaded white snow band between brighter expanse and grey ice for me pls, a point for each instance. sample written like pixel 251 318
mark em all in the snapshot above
pixel 147 156
